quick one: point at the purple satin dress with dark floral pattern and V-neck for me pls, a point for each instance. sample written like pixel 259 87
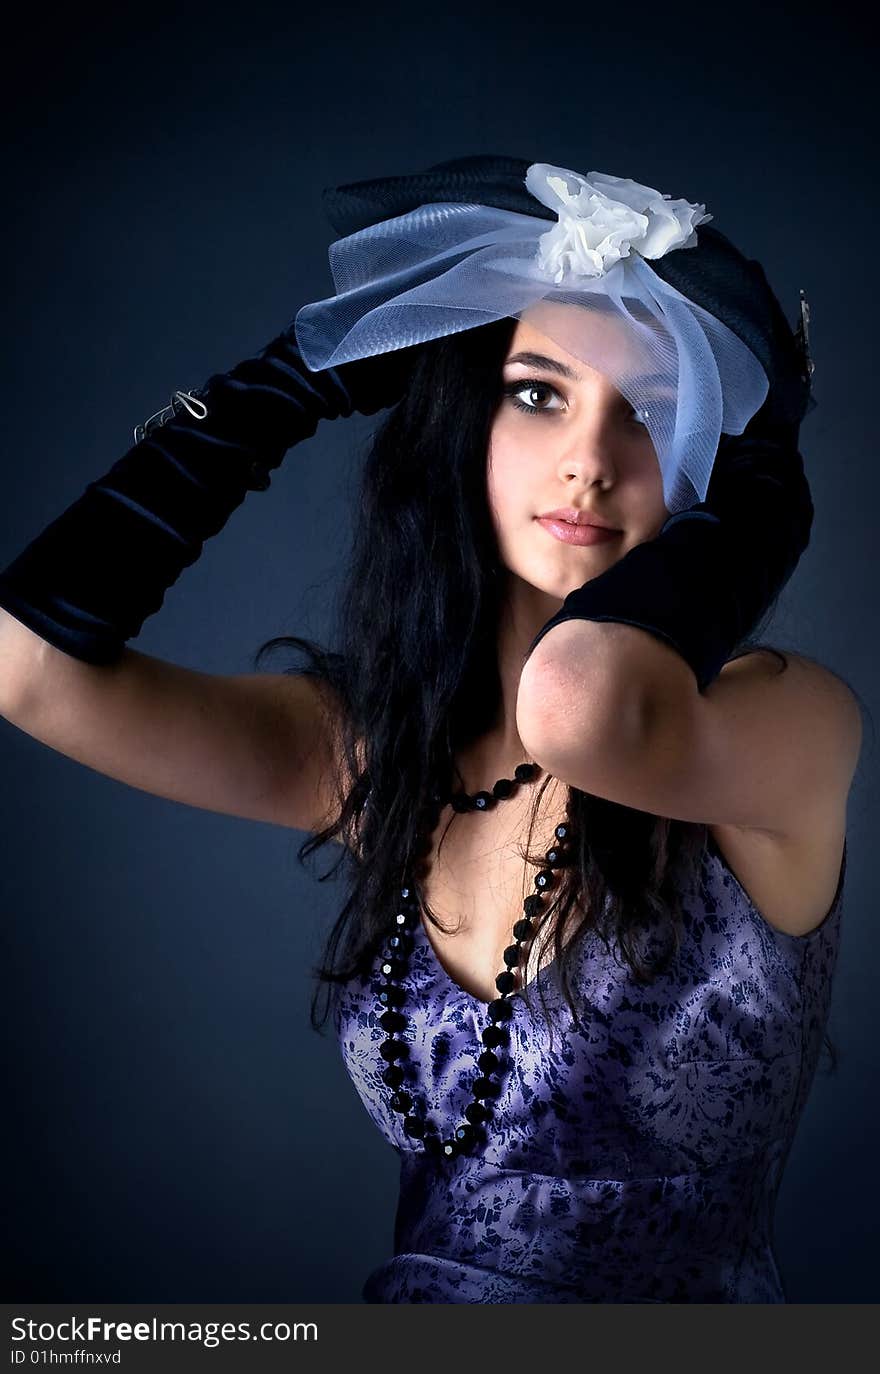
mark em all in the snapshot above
pixel 637 1159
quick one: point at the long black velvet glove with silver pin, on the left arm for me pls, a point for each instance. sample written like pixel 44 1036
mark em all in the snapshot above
pixel 91 579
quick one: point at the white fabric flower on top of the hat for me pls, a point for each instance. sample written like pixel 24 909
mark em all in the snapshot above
pixel 603 218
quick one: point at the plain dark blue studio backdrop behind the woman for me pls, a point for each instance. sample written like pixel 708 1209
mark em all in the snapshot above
pixel 178 1131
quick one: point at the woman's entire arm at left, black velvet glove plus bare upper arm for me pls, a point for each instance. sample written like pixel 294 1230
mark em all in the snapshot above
pixel 251 745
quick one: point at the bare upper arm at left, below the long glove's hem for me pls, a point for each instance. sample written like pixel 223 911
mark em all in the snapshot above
pixel 256 745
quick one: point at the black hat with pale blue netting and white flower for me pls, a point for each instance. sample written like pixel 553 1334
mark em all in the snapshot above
pixel 628 280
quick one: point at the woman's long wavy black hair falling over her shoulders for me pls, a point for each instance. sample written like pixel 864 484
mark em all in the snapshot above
pixel 417 677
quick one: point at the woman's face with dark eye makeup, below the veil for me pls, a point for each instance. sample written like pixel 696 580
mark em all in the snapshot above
pixel 564 436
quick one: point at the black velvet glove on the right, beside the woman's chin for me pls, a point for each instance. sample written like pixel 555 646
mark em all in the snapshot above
pixel 713 571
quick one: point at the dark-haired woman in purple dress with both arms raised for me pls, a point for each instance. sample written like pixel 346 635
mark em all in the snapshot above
pixel 625 1141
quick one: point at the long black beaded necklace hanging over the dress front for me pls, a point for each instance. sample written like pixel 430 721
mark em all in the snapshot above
pixel 468 1136
